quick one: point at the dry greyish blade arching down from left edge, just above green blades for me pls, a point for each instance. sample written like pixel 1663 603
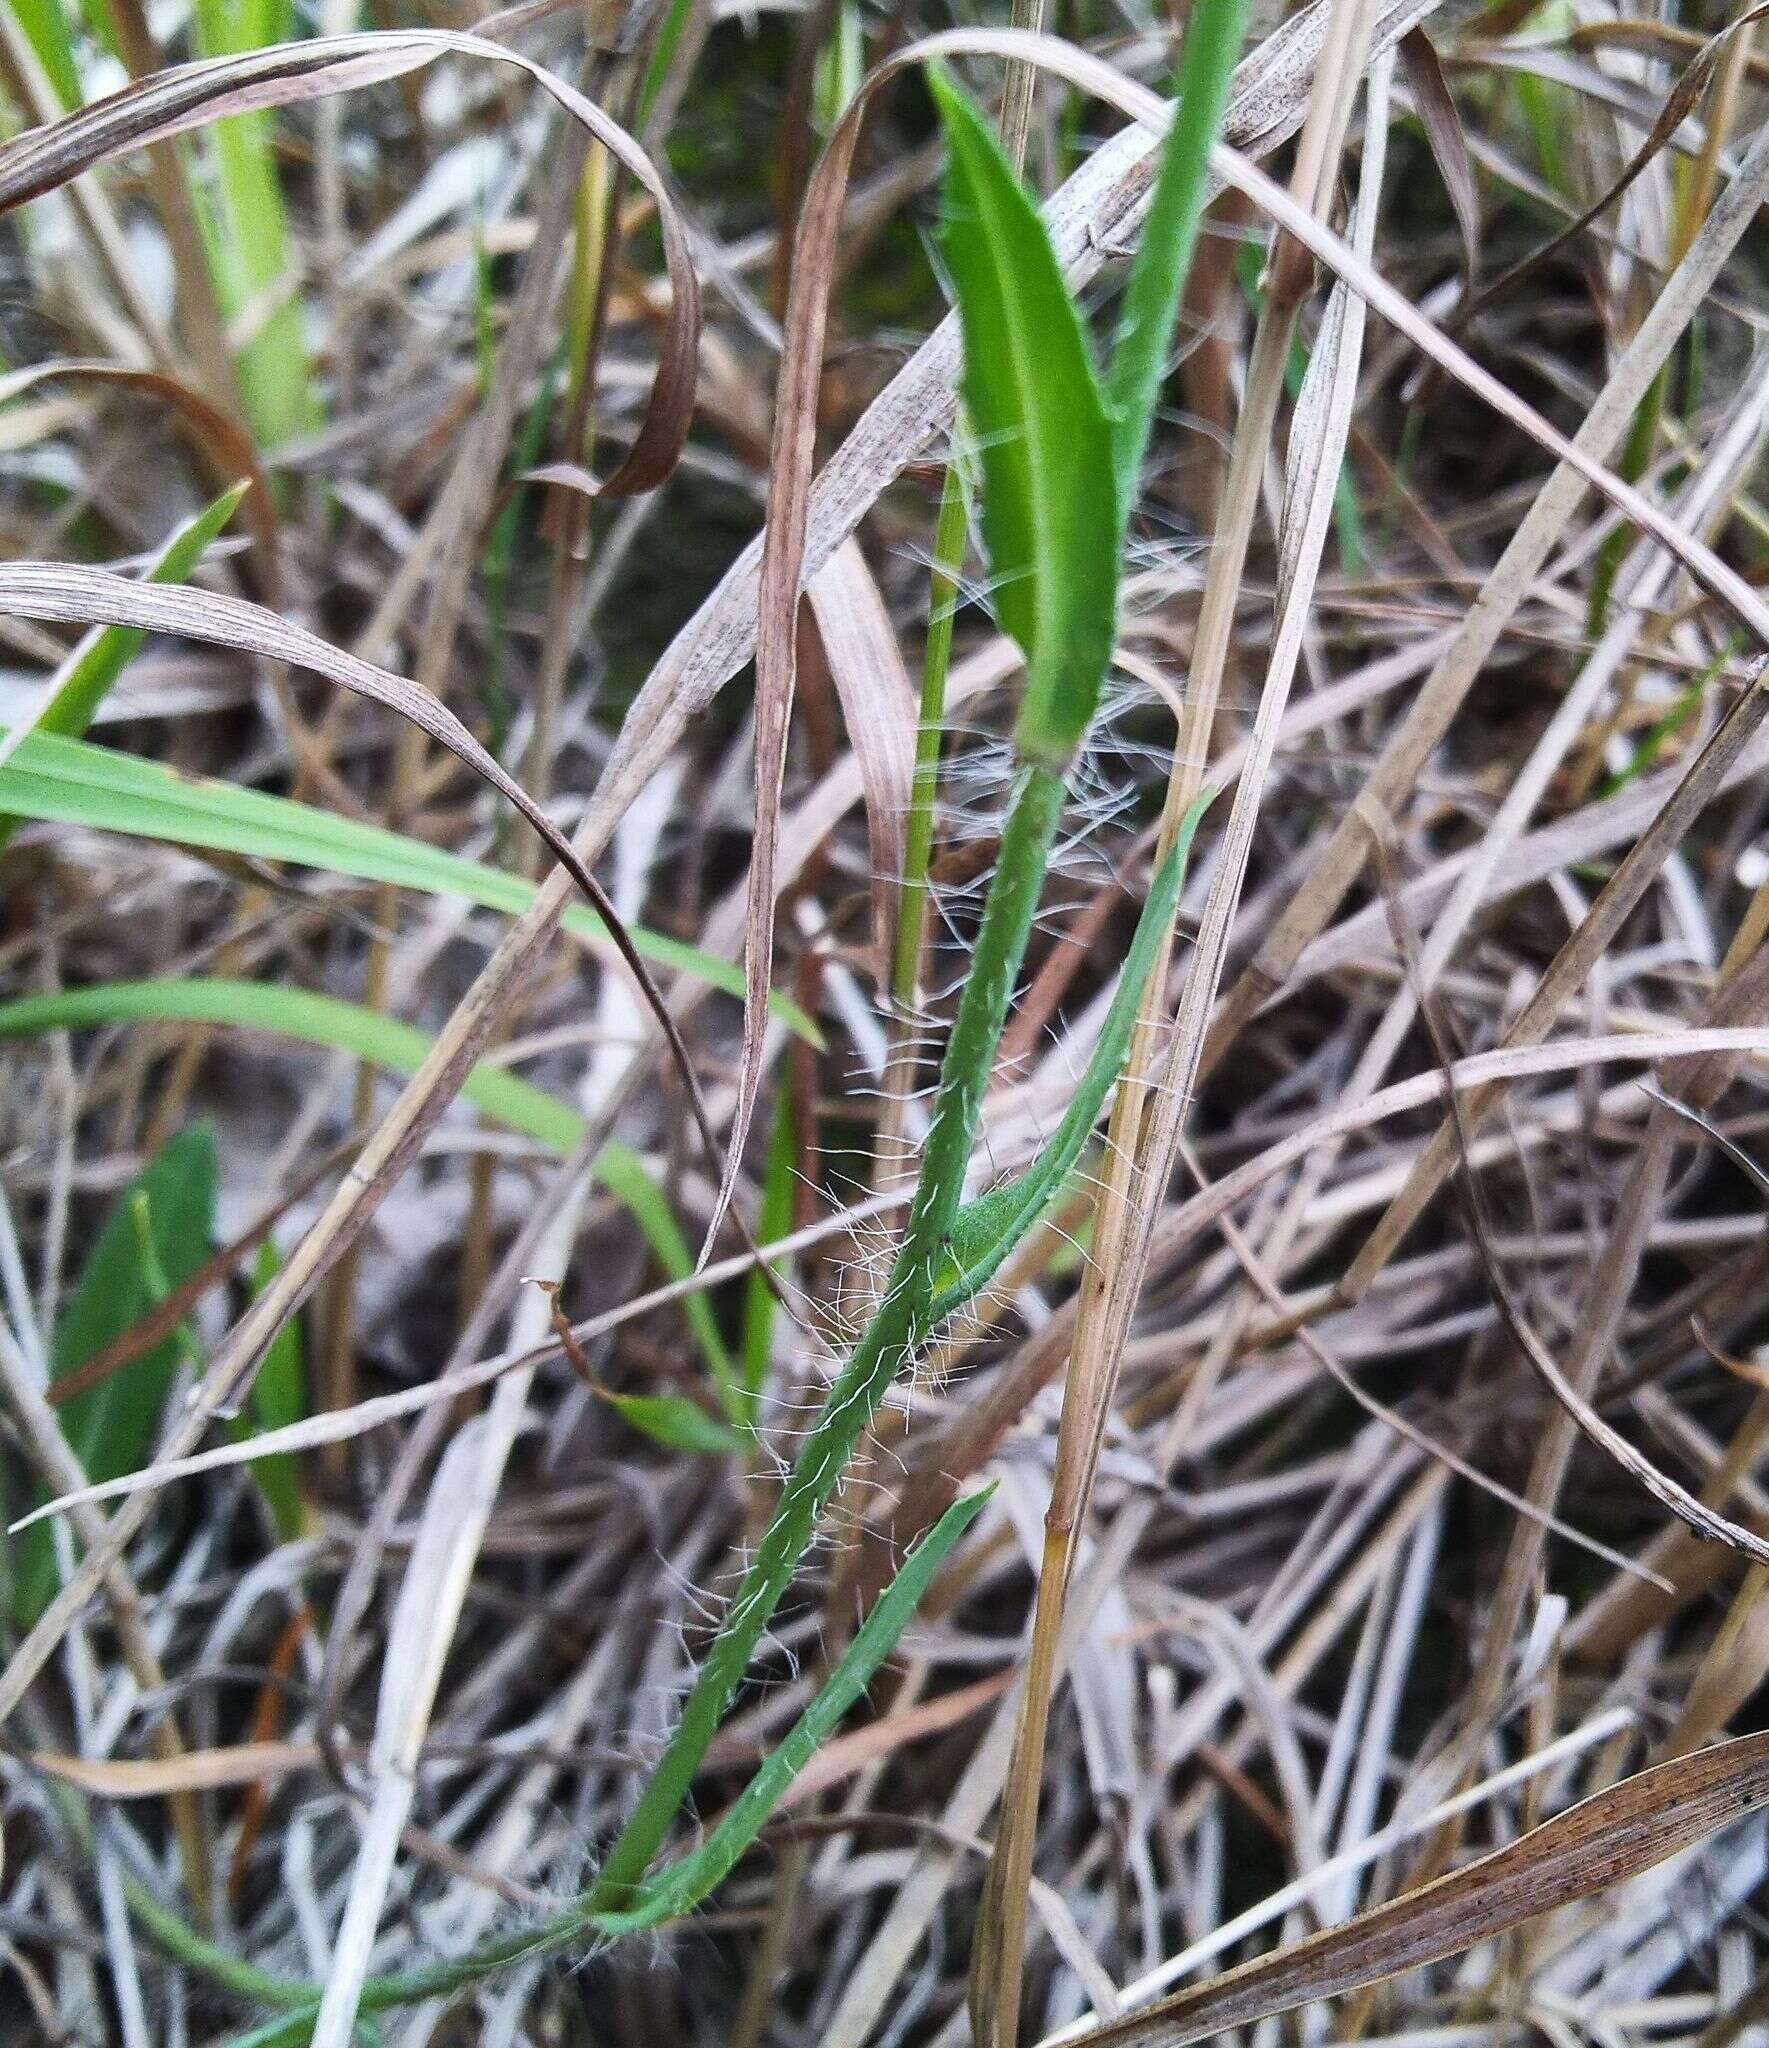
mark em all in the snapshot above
pixel 97 597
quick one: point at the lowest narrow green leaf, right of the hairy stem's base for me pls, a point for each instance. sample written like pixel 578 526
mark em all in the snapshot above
pixel 691 1879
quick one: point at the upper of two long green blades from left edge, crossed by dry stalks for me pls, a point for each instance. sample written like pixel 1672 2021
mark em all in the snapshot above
pixel 75 783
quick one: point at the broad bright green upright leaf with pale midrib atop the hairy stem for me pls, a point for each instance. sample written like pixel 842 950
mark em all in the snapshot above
pixel 1033 398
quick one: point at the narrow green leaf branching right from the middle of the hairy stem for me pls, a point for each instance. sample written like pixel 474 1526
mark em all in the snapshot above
pixel 988 1230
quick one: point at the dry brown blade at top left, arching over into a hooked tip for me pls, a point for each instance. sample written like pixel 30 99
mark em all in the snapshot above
pixel 193 95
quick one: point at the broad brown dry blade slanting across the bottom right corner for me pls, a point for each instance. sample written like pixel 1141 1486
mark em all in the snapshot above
pixel 1596 1844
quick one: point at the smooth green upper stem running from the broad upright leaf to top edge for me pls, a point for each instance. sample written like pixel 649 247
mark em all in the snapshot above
pixel 1164 259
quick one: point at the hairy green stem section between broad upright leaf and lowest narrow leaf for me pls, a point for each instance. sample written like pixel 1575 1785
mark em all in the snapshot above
pixel 902 1322
